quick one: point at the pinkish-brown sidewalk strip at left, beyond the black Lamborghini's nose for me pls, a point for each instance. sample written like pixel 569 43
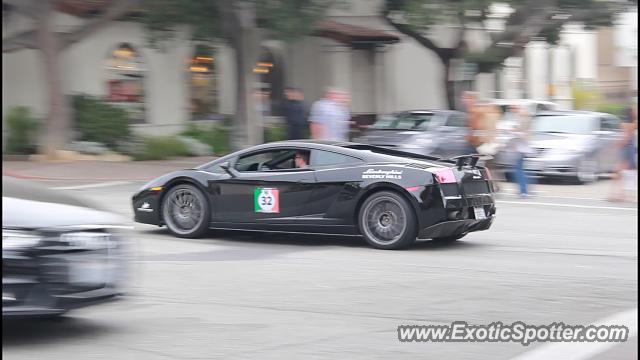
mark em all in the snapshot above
pixel 98 170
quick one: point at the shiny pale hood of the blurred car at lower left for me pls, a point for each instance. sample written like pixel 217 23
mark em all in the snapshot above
pixel 26 205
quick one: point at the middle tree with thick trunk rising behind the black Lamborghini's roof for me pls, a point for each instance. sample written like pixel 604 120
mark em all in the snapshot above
pixel 235 22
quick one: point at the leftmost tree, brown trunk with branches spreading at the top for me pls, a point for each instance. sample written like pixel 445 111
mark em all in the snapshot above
pixel 51 44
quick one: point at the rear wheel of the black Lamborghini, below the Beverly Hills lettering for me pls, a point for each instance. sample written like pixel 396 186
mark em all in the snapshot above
pixel 387 221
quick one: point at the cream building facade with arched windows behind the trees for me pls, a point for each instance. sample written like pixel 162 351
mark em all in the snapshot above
pixel 354 49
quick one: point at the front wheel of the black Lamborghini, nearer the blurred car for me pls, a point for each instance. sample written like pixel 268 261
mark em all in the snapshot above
pixel 185 211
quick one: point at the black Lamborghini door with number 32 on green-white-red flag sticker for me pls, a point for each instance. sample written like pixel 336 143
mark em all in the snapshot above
pixel 256 193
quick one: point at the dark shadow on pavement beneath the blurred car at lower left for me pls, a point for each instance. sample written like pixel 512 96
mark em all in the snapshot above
pixel 43 331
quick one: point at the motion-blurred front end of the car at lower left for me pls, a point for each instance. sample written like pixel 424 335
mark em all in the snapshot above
pixel 58 253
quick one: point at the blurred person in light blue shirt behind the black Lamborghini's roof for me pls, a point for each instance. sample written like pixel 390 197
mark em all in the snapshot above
pixel 330 118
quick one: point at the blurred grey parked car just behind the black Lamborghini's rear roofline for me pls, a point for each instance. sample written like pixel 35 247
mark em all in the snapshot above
pixel 427 132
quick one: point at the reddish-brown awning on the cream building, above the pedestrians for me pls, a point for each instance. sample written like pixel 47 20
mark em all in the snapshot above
pixel 354 36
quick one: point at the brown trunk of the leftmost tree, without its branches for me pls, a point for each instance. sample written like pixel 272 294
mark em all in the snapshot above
pixel 58 123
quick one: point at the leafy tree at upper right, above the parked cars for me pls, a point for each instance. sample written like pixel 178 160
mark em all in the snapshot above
pixel 528 20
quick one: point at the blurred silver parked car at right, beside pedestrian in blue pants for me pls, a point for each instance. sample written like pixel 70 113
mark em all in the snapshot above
pixel 575 145
